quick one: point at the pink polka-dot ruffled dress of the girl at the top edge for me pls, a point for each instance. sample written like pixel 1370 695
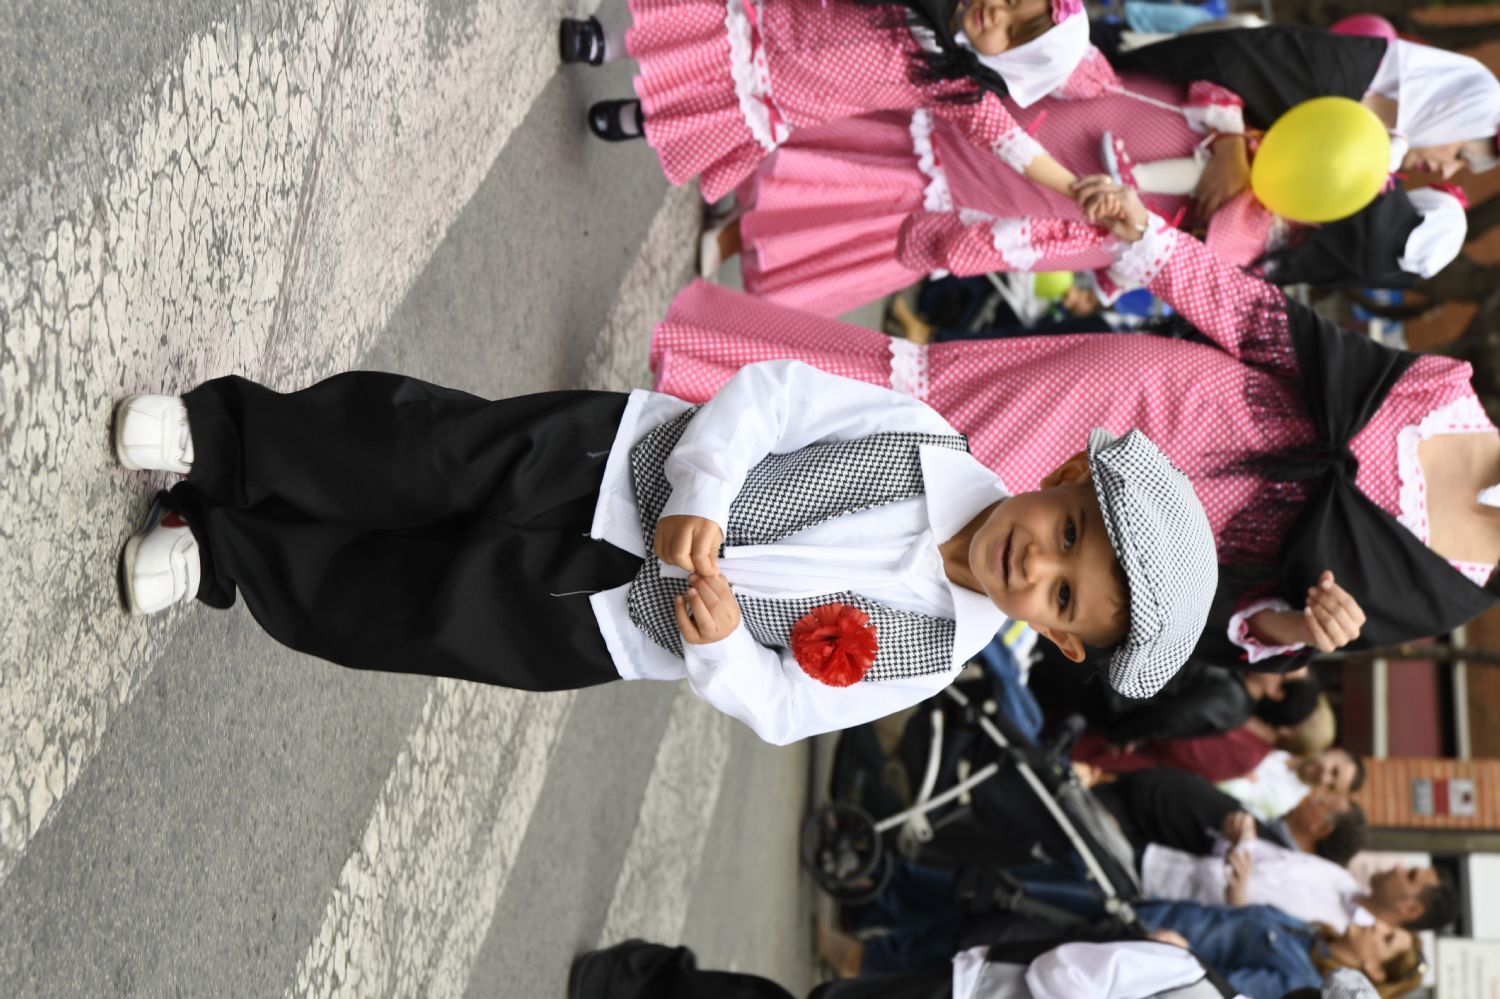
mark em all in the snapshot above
pixel 724 83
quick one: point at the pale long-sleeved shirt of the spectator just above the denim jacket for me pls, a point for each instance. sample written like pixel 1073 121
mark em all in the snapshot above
pixel 1300 884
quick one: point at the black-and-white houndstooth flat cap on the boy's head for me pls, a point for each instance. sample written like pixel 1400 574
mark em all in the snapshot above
pixel 1163 542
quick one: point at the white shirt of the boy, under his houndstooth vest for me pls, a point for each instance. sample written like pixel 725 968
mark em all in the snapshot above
pixel 887 554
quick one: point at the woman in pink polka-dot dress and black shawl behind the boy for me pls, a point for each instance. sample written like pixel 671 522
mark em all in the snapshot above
pixel 1315 451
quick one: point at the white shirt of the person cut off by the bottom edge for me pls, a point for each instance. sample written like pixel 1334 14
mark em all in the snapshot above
pixel 1124 970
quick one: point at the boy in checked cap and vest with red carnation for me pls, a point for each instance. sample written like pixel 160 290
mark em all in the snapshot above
pixel 809 553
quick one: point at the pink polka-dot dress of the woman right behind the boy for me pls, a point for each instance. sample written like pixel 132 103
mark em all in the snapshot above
pixel 1223 413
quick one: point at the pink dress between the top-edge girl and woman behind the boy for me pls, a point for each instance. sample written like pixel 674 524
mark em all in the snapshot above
pixel 854 211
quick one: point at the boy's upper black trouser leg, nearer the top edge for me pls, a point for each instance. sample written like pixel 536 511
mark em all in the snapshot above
pixel 385 451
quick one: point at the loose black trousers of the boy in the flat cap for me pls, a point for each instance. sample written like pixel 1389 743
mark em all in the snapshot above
pixel 383 523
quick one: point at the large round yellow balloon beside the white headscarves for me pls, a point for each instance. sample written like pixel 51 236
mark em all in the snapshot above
pixel 1322 161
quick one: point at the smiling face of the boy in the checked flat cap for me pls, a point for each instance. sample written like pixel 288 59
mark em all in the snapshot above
pixel 1046 559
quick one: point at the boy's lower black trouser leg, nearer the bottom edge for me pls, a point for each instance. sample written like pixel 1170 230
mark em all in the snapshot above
pixel 473 598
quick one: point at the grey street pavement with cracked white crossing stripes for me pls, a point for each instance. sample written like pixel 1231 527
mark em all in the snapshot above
pixel 188 809
